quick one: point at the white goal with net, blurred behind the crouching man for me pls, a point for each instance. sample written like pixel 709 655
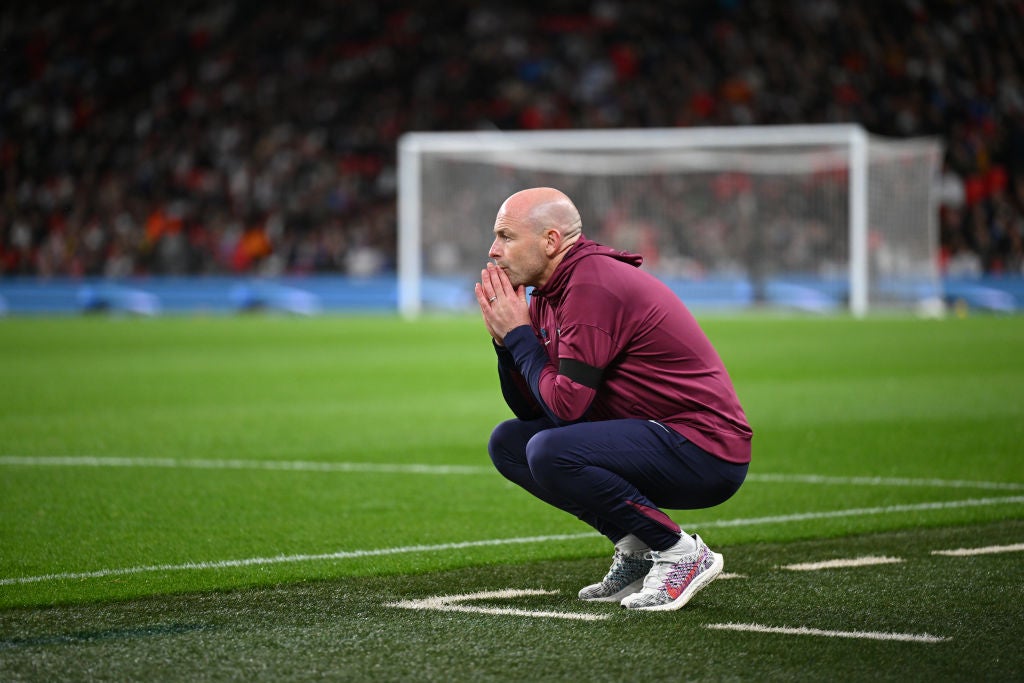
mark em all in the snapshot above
pixel 817 218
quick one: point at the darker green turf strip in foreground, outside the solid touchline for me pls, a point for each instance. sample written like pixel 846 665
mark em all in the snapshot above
pixel 342 629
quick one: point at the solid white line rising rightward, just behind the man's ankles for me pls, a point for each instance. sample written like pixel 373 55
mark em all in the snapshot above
pixel 343 556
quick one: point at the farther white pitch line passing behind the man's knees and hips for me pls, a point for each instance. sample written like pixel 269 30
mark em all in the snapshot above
pixel 416 468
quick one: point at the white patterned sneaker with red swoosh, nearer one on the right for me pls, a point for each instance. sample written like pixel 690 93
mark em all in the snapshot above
pixel 676 578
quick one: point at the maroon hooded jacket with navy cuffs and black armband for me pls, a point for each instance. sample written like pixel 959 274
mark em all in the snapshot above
pixel 612 341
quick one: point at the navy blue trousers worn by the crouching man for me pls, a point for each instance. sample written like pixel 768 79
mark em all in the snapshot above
pixel 616 475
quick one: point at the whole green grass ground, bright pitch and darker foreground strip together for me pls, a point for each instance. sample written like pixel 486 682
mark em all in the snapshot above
pixel 263 498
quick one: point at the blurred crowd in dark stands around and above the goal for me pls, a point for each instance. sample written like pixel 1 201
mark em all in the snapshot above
pixel 261 138
